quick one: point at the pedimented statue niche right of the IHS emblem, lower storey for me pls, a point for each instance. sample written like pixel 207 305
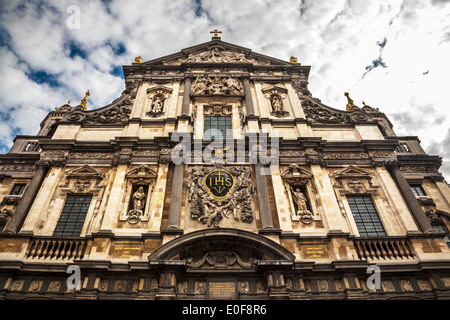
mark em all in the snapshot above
pixel 301 194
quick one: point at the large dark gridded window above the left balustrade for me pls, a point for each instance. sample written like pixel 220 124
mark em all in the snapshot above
pixel 72 217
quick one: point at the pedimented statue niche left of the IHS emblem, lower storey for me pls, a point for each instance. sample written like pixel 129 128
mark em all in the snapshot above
pixel 138 192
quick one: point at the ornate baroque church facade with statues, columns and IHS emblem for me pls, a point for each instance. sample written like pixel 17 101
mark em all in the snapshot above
pixel 217 175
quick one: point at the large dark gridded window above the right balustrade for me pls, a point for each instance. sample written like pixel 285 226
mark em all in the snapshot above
pixel 366 216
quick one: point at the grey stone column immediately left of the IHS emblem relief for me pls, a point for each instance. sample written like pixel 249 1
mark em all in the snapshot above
pixel 175 197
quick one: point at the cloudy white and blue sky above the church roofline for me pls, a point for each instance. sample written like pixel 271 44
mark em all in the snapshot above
pixel 392 54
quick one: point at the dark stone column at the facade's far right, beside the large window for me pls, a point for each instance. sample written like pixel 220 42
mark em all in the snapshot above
pixel 410 199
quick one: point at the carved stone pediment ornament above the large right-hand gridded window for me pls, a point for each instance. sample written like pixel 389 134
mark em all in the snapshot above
pixel 354 180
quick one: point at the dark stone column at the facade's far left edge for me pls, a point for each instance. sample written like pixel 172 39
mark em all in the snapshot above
pixel 28 197
